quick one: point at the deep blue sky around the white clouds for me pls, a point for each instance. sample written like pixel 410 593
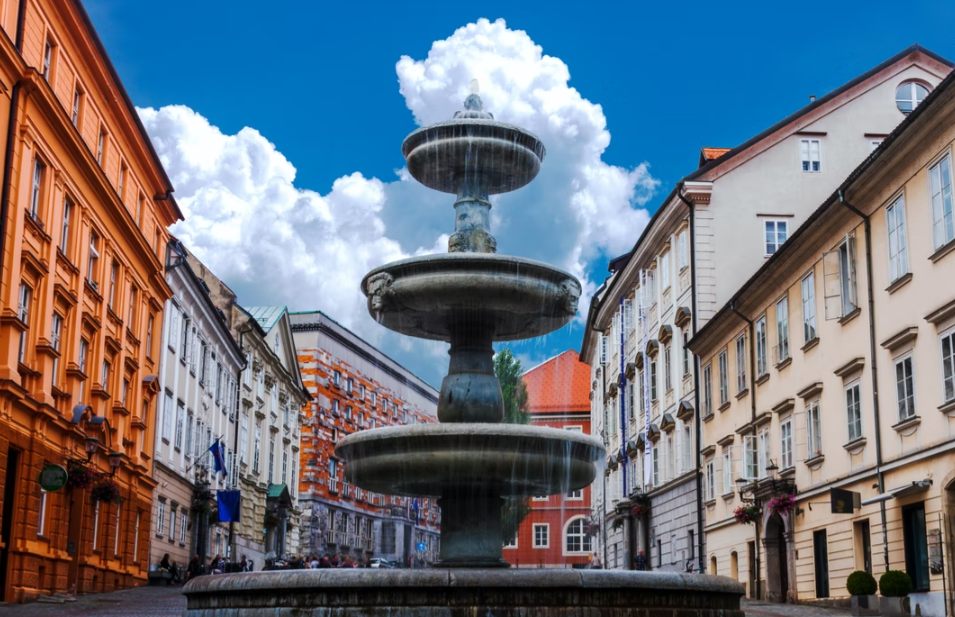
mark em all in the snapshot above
pixel 318 80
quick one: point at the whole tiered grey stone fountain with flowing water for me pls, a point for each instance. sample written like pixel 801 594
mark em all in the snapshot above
pixel 470 460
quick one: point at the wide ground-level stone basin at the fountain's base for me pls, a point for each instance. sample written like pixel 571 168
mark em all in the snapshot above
pixel 462 593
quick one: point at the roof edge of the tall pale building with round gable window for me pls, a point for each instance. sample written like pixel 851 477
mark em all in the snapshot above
pixel 619 263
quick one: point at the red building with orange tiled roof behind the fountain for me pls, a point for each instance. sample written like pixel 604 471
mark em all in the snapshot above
pixel 554 534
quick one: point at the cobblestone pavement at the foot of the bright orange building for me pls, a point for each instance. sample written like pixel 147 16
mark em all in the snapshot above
pixel 136 602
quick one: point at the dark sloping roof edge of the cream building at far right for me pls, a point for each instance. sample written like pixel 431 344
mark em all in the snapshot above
pixel 794 242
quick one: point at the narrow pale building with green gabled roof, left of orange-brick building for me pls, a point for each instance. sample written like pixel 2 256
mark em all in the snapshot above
pixel 270 395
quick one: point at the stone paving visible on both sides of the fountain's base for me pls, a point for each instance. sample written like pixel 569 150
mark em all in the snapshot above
pixel 168 602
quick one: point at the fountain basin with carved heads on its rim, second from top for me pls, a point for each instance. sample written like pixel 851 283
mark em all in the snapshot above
pixel 433 296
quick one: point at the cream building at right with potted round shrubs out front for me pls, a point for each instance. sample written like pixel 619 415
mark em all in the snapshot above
pixel 850 384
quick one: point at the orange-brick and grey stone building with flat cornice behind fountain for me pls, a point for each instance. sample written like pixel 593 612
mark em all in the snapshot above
pixel 355 387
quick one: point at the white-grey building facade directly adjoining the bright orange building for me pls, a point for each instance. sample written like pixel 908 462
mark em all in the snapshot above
pixel 198 378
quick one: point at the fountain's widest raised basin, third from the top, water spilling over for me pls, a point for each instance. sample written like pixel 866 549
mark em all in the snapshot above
pixel 436 459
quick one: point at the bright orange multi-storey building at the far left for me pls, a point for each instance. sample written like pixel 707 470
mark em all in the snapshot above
pixel 84 207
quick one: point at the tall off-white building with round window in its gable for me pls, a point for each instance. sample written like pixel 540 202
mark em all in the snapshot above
pixel 714 229
